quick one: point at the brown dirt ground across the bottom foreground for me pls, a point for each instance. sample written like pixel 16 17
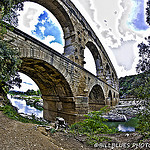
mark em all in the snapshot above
pixel 15 135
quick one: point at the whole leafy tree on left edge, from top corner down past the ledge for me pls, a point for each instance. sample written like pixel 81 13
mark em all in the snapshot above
pixel 9 56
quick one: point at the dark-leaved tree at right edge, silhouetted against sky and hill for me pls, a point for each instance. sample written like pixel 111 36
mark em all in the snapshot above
pixel 141 87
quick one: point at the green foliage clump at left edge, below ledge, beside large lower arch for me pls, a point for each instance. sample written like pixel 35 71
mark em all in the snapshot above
pixel 9 63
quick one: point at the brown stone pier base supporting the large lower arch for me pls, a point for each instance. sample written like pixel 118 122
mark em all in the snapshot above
pixel 55 106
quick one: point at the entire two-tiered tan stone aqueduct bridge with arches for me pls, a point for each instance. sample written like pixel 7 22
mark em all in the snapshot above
pixel 68 90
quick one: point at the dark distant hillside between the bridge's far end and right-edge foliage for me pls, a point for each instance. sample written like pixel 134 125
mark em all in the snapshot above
pixel 125 83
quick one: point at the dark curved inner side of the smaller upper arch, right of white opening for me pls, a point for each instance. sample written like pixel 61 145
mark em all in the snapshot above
pixel 97 58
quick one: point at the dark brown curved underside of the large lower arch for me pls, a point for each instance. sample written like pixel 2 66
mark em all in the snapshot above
pixel 48 79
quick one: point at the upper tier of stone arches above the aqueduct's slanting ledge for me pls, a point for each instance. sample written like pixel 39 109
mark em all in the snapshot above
pixel 77 36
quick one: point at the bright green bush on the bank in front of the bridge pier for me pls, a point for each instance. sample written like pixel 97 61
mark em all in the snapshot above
pixel 92 127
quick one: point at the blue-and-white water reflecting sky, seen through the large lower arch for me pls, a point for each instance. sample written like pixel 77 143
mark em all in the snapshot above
pixel 23 108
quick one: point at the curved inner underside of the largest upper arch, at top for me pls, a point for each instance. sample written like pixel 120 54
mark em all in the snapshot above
pixel 61 14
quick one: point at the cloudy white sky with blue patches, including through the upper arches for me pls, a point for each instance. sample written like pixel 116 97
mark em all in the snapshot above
pixel 119 24
